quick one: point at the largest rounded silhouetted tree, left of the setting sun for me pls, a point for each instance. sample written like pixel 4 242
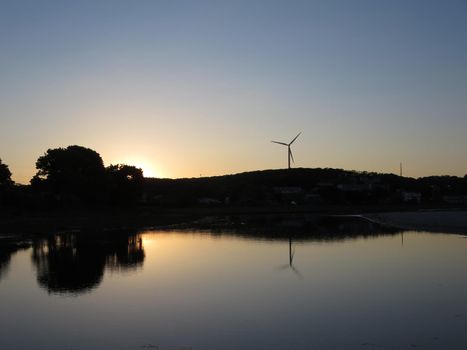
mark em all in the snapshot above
pixel 75 170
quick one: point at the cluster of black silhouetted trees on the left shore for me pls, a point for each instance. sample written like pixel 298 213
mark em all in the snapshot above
pixel 73 176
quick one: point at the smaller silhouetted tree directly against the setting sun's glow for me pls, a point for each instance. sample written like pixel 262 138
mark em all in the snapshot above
pixel 125 183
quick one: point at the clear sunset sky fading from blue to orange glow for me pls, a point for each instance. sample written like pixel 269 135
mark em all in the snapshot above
pixel 200 88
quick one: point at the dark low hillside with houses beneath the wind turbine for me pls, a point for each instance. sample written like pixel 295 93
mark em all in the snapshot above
pixel 301 186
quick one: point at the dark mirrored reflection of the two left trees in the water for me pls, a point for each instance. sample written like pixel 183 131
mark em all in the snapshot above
pixel 75 263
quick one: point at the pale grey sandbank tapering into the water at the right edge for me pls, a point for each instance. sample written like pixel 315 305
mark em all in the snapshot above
pixel 454 221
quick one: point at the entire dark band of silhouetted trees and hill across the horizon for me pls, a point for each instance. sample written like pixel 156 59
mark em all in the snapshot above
pixel 76 176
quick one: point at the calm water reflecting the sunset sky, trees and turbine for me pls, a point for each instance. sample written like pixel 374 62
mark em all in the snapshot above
pixel 187 290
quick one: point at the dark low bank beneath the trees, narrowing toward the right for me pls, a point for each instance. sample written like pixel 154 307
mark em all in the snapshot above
pixel 110 218
